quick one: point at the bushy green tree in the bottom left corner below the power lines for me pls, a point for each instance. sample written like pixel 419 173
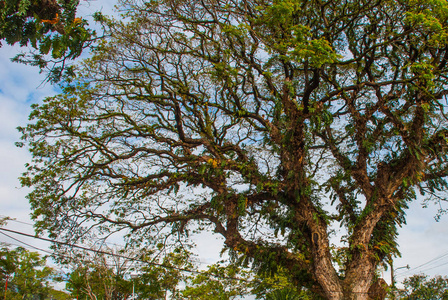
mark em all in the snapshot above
pixel 27 275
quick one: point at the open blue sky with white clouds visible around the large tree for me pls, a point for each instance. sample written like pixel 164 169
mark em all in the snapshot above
pixel 421 240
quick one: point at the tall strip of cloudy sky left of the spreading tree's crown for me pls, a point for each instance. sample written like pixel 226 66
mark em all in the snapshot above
pixel 19 87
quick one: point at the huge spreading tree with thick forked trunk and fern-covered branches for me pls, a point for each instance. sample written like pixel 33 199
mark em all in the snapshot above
pixel 268 122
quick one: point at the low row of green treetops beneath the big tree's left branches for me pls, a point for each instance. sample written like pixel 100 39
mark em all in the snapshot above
pixel 120 274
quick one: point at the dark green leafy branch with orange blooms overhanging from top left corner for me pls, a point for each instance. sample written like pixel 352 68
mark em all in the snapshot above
pixel 49 27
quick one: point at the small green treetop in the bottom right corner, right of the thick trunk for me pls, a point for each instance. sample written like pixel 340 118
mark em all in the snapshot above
pixel 423 288
